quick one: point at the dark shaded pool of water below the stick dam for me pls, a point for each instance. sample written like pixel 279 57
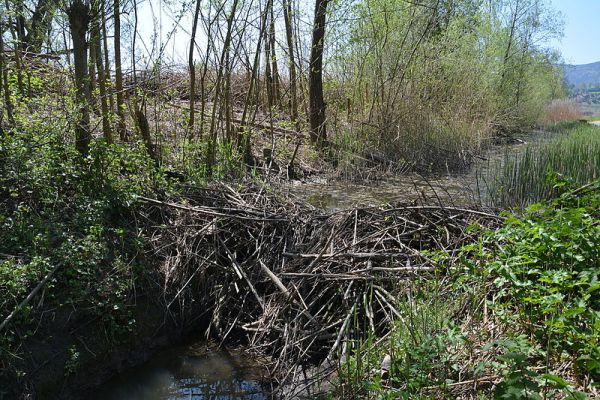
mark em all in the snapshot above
pixel 188 372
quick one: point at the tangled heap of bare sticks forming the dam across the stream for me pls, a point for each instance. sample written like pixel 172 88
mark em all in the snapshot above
pixel 291 280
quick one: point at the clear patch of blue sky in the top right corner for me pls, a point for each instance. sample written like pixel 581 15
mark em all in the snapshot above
pixel 581 42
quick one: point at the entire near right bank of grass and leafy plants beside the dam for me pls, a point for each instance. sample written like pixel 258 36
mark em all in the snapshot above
pixel 514 317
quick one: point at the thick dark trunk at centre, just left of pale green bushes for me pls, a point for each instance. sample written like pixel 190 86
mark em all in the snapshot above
pixel 318 132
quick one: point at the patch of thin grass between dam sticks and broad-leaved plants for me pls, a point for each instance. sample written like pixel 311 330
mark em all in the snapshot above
pixel 425 349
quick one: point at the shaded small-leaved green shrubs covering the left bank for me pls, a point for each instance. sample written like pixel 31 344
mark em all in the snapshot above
pixel 57 208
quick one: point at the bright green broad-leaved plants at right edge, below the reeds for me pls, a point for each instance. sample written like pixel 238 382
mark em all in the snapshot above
pixel 546 271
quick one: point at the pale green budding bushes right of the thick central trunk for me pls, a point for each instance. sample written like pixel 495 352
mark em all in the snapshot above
pixel 430 83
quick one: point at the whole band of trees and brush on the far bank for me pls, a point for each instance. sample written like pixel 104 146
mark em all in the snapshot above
pixel 414 86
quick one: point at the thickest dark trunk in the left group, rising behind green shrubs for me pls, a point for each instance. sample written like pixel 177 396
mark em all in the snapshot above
pixel 79 19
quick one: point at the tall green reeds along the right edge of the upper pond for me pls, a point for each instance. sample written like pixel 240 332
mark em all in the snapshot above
pixel 526 177
